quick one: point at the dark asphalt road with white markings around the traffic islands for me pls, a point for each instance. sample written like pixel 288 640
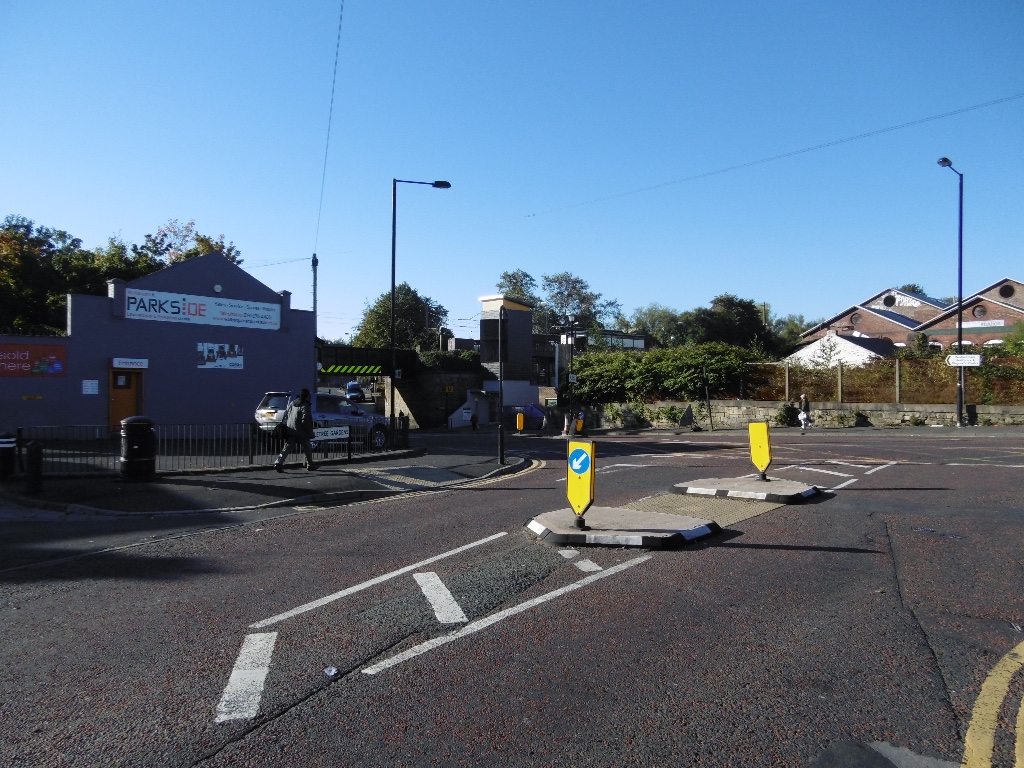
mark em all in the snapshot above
pixel 800 635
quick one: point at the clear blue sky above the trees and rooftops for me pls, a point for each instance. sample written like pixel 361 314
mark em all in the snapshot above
pixel 577 137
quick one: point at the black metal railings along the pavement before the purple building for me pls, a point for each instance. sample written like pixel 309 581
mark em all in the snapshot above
pixel 86 450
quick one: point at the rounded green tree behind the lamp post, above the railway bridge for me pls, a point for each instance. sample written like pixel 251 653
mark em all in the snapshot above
pixel 412 321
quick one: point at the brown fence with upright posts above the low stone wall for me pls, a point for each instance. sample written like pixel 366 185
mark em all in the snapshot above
pixel 999 382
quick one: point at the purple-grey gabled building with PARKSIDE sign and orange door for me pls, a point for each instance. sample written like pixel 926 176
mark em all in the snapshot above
pixel 198 343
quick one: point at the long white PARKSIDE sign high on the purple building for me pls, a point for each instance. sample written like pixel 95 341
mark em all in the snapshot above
pixel 202 311
